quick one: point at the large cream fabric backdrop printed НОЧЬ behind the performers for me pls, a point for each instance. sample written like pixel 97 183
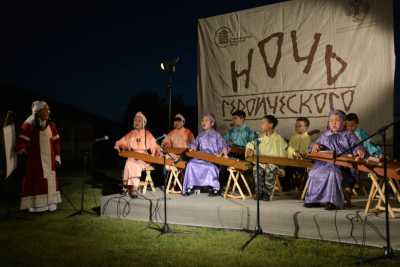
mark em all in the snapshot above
pixel 299 58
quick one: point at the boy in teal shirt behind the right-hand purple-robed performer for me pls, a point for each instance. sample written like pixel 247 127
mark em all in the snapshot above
pixel 352 123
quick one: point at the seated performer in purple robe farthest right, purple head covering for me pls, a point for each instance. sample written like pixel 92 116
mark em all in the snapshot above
pixel 326 179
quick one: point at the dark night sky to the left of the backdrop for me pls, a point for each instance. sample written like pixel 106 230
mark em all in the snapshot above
pixel 96 54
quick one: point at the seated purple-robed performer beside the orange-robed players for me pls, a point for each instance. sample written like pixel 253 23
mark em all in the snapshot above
pixel 199 172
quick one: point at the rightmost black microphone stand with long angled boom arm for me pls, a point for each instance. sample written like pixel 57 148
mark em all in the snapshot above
pixel 388 250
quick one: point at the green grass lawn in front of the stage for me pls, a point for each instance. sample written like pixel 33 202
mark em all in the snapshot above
pixel 51 239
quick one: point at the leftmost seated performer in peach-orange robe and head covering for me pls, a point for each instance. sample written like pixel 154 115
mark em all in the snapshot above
pixel 139 140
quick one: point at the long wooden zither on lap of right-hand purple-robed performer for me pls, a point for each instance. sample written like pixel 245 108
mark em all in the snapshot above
pixel 369 166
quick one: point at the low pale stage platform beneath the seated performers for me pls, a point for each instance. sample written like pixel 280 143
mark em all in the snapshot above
pixel 285 217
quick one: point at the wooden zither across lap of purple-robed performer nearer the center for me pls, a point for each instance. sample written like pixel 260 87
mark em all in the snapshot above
pixel 229 162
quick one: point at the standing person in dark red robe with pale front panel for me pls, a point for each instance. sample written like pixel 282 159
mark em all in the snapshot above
pixel 40 143
